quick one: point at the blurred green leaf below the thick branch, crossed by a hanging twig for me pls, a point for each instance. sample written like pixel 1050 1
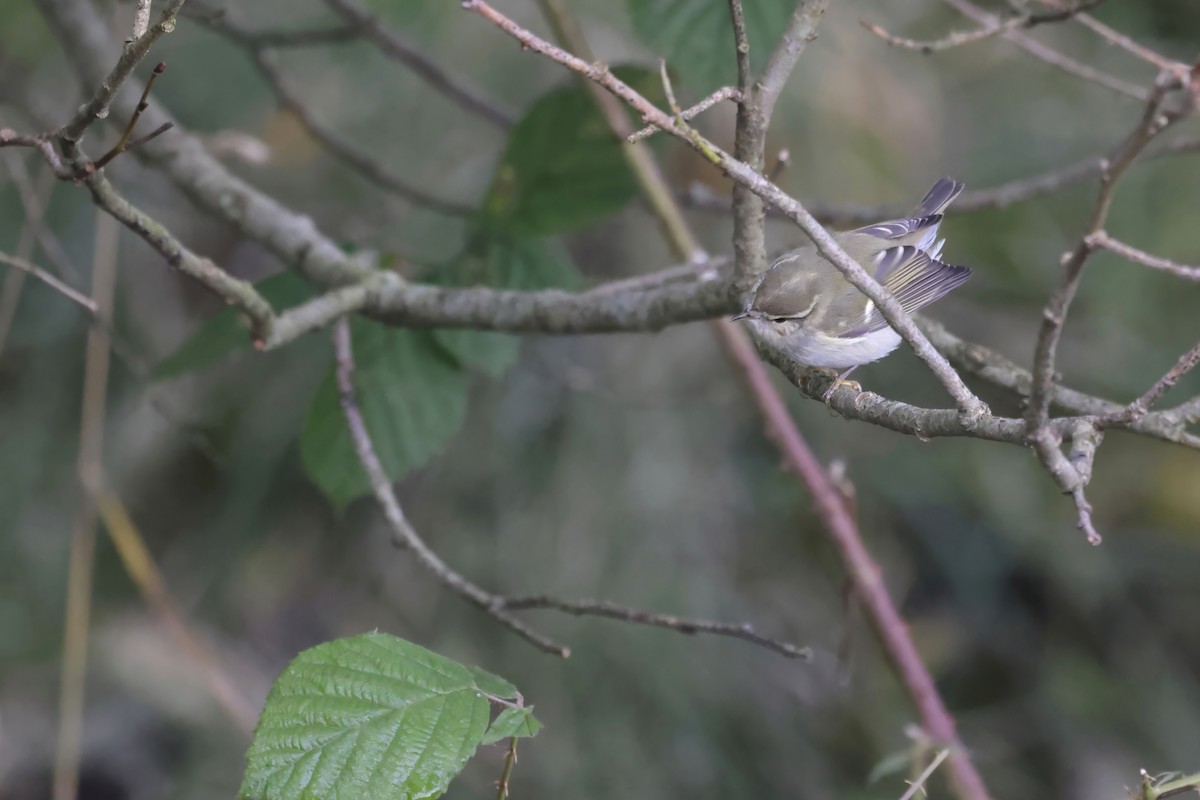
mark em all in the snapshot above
pixel 413 399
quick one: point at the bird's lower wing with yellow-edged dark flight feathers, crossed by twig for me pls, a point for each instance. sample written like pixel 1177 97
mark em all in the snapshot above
pixel 911 276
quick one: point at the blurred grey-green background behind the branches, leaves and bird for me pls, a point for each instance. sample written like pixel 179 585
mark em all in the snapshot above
pixel 629 468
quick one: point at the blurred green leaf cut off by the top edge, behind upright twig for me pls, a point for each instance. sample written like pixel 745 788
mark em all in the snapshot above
pixel 697 37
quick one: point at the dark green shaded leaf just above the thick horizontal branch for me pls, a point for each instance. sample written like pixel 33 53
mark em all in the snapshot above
pixel 563 169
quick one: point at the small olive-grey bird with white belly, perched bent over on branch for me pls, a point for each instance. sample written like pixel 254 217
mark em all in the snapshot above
pixel 806 306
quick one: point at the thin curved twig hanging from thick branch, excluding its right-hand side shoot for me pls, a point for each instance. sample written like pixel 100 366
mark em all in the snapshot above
pixel 403 532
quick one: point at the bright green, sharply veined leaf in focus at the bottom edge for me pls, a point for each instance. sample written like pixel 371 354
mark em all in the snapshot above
pixel 369 717
